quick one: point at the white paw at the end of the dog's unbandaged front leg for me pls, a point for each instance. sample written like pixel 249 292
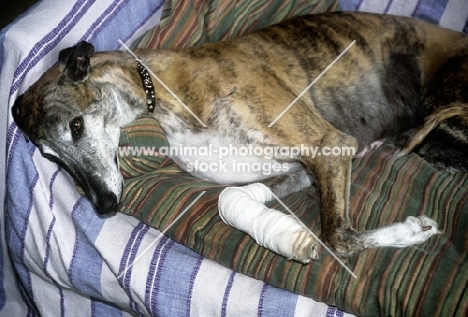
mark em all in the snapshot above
pixel 417 230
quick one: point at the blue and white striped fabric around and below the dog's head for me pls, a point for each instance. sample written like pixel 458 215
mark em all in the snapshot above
pixel 68 261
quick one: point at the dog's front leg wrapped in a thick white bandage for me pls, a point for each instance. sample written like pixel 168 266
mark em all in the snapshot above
pixel 243 208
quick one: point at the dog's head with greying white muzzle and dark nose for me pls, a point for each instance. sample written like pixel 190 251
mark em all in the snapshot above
pixel 62 114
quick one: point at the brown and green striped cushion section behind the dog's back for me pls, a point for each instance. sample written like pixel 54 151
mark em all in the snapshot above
pixel 190 23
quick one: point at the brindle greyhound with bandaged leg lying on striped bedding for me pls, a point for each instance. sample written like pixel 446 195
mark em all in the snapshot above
pixel 238 92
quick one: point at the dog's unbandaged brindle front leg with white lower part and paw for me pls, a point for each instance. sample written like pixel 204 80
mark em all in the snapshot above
pixel 332 176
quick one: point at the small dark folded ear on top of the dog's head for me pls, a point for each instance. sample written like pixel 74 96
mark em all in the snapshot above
pixel 74 61
